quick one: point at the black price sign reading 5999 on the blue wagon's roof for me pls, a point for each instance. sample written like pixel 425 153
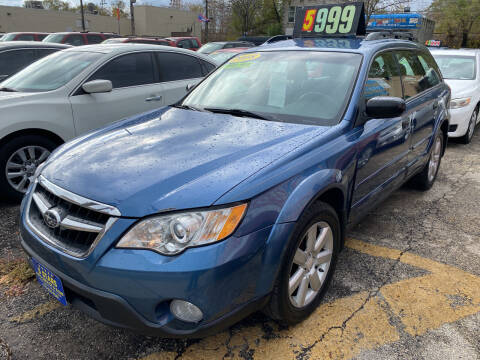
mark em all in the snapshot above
pixel 330 20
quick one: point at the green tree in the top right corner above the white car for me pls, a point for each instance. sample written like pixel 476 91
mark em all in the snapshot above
pixel 455 18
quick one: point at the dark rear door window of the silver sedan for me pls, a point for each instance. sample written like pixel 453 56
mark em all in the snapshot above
pixel 174 67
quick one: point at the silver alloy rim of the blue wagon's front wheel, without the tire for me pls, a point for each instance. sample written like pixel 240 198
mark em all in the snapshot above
pixel 310 264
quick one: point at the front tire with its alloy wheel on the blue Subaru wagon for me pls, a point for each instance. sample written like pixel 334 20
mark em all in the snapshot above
pixel 308 267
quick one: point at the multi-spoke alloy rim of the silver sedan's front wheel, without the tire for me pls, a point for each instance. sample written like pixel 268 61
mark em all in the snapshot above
pixel 22 164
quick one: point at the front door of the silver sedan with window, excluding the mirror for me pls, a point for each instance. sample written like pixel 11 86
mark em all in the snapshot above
pixel 135 90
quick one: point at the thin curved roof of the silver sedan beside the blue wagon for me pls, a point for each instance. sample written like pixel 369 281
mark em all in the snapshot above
pixel 120 48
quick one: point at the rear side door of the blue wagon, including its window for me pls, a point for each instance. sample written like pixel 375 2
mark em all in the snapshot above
pixel 421 94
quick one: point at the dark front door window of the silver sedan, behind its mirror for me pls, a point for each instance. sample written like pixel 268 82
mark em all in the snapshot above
pixel 128 70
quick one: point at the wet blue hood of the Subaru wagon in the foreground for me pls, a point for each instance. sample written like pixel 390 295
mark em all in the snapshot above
pixel 171 159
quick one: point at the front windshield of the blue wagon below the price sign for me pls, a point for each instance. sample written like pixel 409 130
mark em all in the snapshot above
pixel 307 87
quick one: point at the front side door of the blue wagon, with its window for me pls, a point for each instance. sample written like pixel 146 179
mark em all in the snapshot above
pixel 383 145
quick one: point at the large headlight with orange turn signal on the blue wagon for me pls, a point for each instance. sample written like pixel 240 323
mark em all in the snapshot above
pixel 171 234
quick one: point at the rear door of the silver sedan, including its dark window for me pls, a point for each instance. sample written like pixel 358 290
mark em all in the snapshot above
pixel 176 71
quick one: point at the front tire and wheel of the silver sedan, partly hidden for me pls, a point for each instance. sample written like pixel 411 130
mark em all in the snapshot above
pixel 19 158
